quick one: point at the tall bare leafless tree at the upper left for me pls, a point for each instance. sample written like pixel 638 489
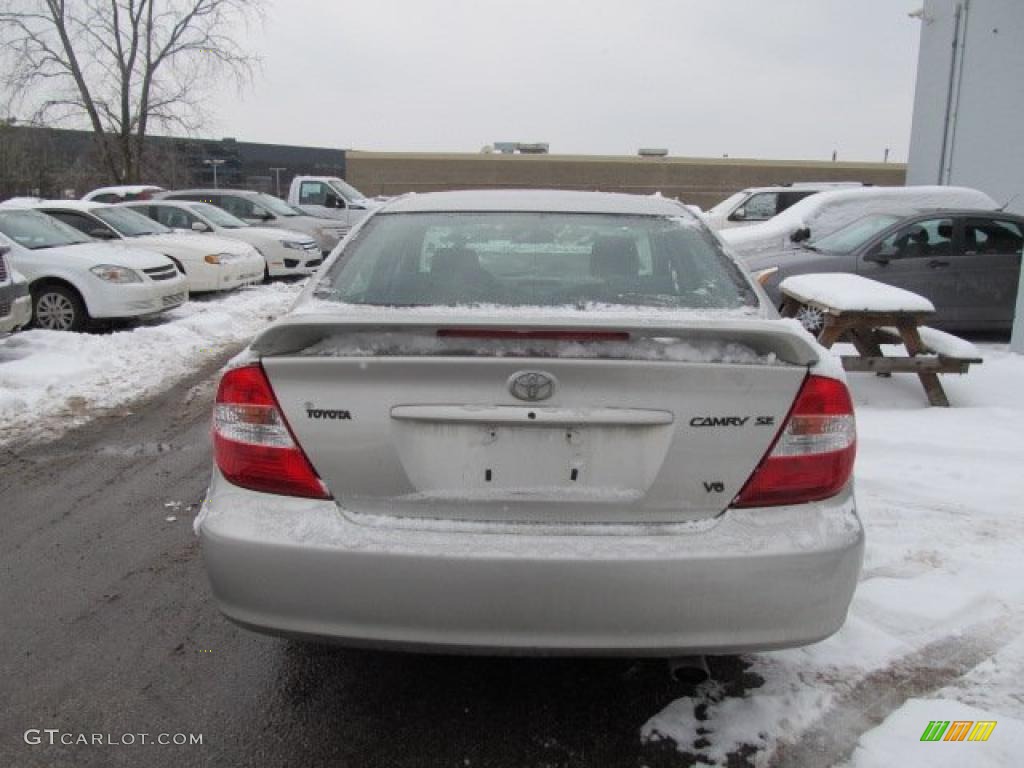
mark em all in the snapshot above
pixel 123 66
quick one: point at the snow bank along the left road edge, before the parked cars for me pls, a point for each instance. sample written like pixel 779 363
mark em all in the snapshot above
pixel 52 380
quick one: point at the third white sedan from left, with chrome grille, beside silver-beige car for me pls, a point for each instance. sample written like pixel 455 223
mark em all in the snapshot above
pixel 287 252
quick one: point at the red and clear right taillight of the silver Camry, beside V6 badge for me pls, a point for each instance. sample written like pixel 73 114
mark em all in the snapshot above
pixel 813 456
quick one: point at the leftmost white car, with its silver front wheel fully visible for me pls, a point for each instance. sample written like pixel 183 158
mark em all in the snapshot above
pixel 73 279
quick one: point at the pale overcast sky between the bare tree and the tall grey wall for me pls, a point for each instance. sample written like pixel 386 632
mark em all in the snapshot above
pixel 749 78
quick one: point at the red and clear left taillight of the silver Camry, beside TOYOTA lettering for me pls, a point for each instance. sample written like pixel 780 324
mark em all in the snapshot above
pixel 252 445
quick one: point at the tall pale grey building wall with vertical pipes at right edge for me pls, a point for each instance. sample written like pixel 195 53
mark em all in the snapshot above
pixel 971 100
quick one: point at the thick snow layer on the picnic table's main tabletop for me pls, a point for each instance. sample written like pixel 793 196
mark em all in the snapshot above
pixel 847 292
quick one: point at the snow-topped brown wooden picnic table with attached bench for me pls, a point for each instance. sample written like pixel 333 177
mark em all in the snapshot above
pixel 869 314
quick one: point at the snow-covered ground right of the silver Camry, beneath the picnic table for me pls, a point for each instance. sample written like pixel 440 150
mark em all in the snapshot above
pixel 935 630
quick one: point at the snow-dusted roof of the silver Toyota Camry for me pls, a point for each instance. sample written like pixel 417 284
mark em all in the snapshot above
pixel 535 201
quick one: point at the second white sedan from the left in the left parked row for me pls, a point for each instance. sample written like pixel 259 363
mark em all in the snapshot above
pixel 209 264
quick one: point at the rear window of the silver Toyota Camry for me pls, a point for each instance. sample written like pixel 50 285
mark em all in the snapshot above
pixel 545 260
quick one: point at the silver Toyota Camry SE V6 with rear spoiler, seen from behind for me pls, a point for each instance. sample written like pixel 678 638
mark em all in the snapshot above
pixel 534 422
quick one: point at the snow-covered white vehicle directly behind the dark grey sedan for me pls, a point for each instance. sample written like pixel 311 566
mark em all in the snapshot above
pixel 826 212
